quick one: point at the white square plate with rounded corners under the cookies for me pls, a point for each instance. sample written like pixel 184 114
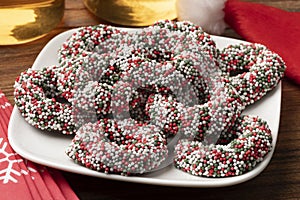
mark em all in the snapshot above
pixel 49 149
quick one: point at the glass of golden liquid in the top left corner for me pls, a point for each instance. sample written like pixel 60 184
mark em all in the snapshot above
pixel 23 21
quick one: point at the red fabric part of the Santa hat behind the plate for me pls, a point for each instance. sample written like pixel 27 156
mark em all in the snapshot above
pixel 277 29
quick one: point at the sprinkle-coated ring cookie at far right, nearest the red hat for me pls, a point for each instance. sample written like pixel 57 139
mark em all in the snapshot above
pixel 252 69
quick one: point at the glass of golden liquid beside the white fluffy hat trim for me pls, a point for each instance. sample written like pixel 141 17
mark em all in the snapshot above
pixel 132 12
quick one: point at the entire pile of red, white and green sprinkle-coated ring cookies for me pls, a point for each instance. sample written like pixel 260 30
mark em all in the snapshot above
pixel 126 95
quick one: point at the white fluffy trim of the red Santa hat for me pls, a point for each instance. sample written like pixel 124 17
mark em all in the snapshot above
pixel 208 14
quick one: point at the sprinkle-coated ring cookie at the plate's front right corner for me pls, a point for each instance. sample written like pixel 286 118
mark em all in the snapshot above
pixel 252 143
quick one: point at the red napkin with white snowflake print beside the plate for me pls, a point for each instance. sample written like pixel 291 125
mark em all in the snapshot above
pixel 22 179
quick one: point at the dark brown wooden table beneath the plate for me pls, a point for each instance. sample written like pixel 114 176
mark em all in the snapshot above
pixel 280 180
